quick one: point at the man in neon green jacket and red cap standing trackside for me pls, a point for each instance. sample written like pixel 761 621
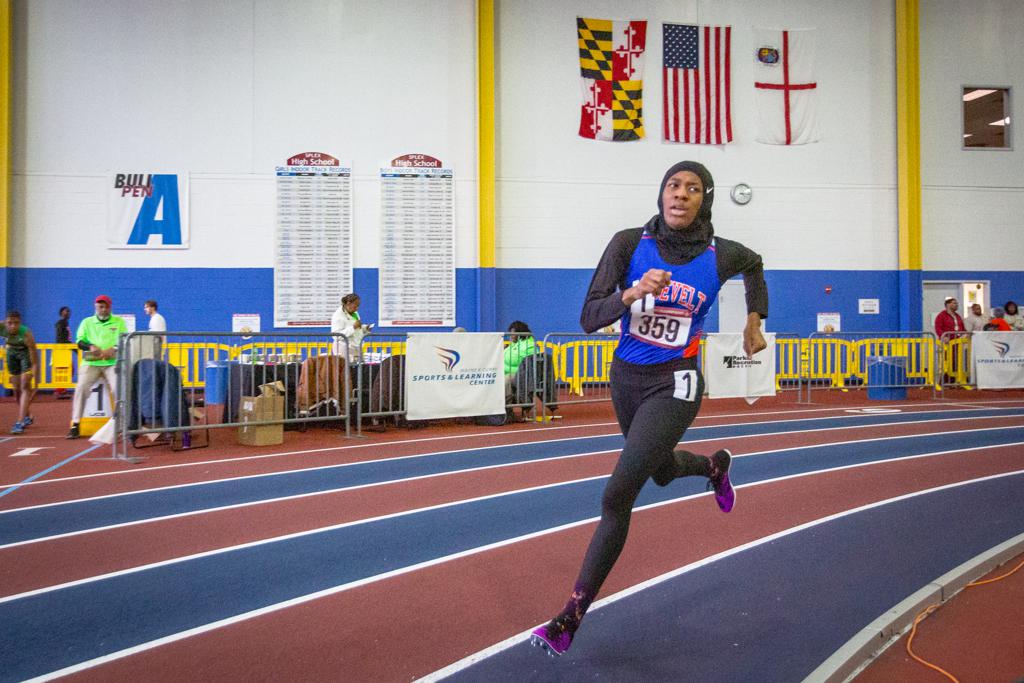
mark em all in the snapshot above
pixel 98 337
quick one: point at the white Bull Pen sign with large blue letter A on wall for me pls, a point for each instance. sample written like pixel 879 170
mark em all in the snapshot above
pixel 148 211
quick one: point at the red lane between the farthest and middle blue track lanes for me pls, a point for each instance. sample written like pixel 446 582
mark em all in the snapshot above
pixel 104 551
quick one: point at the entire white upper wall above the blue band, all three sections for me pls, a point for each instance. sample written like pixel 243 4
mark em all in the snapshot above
pixel 227 91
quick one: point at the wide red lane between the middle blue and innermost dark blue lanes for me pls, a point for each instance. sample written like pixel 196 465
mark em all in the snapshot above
pixel 404 627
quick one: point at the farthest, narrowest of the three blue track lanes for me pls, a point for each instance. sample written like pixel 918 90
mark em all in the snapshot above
pixel 39 523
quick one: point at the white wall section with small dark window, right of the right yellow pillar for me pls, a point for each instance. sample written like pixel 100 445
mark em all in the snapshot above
pixel 972 200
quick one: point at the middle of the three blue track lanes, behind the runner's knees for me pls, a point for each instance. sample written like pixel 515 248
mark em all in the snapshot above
pixel 63 627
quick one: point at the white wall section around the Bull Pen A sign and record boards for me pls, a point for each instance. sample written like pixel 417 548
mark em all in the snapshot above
pixel 226 92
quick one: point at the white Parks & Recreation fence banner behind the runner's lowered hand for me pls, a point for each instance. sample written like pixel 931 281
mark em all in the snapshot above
pixel 731 373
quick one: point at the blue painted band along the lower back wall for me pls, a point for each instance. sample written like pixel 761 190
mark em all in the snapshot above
pixel 487 300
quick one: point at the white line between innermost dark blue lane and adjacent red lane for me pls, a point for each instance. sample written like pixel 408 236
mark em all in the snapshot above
pixel 477 658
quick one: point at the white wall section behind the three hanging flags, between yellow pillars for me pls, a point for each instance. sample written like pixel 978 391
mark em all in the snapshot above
pixel 829 205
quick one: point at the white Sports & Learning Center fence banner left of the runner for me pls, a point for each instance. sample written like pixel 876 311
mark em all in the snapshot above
pixel 454 375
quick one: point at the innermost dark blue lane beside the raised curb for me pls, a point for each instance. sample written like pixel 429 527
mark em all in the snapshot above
pixel 777 612
